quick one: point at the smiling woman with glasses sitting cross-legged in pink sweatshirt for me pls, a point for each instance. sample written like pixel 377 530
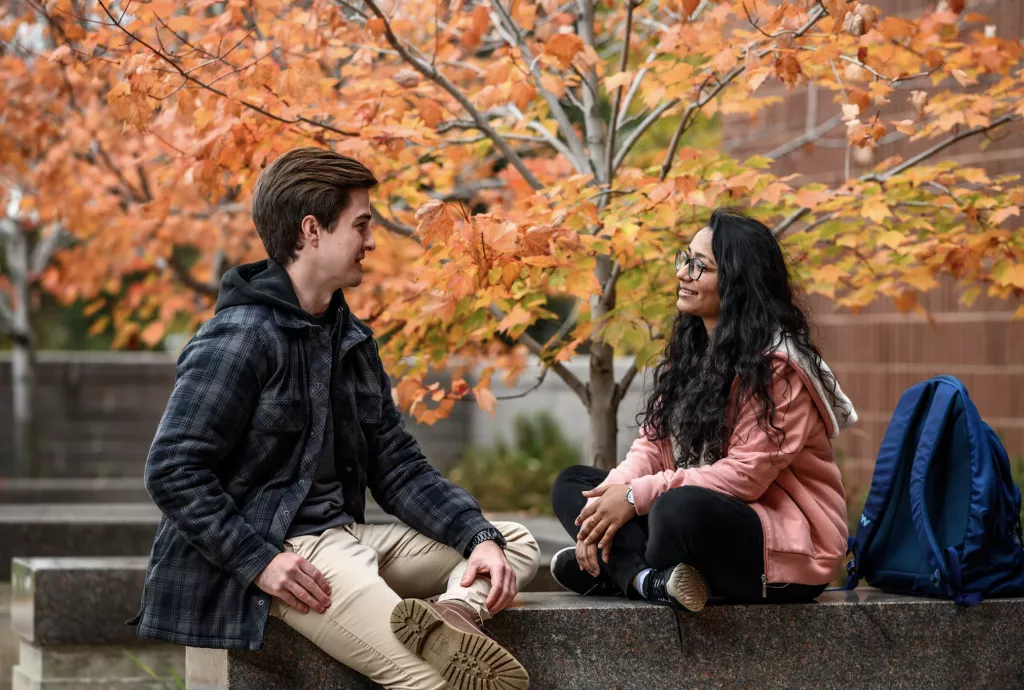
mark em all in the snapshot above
pixel 732 489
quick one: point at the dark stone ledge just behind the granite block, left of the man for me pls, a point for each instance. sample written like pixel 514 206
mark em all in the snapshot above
pixel 103 530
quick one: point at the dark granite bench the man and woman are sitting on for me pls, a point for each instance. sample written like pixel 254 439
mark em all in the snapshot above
pixel 864 639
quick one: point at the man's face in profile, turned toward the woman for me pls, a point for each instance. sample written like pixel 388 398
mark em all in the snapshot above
pixel 342 251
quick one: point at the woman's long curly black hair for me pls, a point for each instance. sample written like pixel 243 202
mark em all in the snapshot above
pixel 691 402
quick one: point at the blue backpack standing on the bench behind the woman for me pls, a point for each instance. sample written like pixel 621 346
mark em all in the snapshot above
pixel 943 519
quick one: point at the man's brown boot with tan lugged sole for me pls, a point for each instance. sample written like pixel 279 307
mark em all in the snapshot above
pixel 447 636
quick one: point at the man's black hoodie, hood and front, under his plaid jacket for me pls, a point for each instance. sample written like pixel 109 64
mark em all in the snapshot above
pixel 268 283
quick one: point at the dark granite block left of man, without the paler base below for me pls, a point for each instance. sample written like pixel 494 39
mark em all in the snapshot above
pixel 76 601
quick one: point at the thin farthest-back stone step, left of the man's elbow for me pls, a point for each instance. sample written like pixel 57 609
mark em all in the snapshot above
pixel 76 491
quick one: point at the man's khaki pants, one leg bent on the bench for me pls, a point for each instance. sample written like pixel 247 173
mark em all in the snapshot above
pixel 371 569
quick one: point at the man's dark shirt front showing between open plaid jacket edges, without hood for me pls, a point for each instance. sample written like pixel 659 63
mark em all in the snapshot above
pixel 324 506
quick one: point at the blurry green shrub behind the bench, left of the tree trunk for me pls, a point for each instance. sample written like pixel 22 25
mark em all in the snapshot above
pixel 519 477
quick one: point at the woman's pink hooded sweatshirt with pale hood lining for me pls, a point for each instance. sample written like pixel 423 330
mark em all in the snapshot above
pixel 797 493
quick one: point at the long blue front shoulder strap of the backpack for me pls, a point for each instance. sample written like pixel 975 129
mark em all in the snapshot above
pixel 948 573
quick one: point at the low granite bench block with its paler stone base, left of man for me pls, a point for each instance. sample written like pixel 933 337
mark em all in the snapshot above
pixel 69 616
